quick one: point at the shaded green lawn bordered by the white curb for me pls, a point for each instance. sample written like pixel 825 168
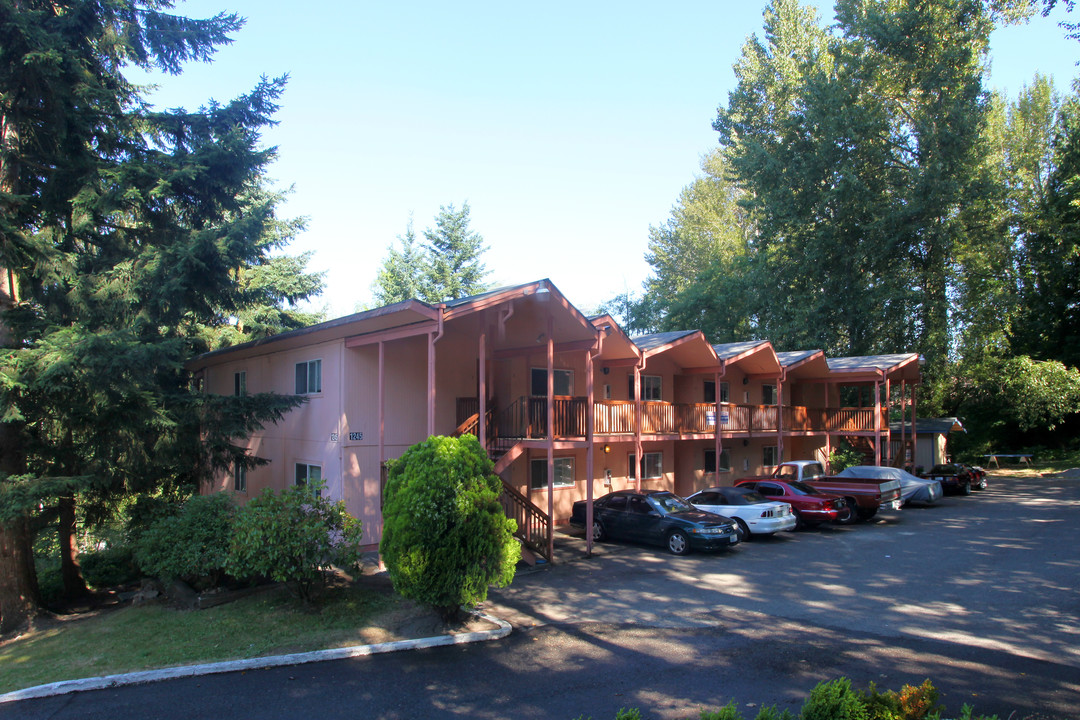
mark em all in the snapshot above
pixel 157 636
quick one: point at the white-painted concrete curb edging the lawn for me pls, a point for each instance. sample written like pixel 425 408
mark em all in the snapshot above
pixel 65 687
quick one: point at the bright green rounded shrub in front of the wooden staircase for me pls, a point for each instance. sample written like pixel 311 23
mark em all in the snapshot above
pixel 445 537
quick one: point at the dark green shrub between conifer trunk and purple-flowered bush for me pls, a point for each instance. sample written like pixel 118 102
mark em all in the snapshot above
pixel 193 546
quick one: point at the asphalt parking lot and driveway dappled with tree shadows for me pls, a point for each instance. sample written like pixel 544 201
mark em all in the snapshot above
pixel 978 594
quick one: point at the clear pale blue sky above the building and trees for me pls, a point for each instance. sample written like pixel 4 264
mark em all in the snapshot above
pixel 570 128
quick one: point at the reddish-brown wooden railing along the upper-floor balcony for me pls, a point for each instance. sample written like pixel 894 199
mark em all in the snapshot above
pixel 528 418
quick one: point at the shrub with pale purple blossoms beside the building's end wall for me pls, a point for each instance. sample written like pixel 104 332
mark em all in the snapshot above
pixel 293 537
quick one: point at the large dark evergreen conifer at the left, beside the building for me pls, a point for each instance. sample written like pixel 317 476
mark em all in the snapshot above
pixel 124 234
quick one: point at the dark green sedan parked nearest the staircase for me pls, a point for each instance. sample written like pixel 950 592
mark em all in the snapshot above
pixel 657 518
